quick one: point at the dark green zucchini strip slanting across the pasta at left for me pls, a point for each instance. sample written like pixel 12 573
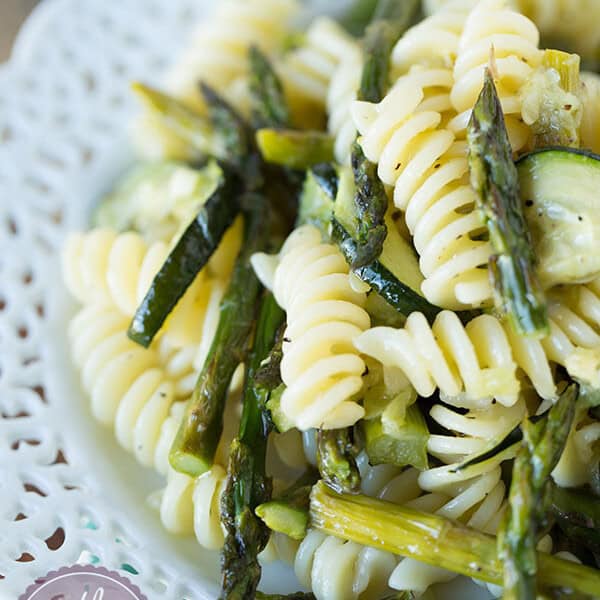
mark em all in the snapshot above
pixel 191 253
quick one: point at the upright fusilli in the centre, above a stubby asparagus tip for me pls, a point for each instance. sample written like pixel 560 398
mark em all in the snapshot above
pixel 320 367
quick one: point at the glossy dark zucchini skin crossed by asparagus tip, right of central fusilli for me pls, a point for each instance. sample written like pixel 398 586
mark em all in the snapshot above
pixel 400 296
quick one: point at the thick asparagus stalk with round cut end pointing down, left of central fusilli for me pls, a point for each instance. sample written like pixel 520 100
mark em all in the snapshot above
pixel 196 441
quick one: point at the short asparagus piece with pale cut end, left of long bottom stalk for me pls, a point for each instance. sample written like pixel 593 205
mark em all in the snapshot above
pixel 289 513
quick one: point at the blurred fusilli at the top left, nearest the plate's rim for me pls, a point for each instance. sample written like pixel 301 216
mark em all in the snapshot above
pixel 217 52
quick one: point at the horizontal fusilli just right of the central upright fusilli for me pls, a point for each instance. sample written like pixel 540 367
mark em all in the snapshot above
pixel 471 365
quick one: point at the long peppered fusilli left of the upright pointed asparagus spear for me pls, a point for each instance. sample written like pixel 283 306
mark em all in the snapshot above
pixel 416 154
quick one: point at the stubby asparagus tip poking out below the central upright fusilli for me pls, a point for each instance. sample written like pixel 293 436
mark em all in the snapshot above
pixel 336 458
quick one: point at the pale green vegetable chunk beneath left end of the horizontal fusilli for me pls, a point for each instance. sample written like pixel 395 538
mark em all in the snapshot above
pixel 404 444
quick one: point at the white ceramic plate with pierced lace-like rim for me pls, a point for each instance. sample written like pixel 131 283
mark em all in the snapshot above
pixel 64 105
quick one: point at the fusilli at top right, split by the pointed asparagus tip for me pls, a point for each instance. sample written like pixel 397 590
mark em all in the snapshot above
pixel 514 40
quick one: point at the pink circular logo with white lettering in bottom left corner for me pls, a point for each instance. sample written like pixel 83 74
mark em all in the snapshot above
pixel 82 583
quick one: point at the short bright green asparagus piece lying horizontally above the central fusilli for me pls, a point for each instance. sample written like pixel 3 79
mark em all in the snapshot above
pixel 294 149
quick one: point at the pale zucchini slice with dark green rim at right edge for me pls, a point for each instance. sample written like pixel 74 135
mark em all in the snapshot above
pixel 560 189
